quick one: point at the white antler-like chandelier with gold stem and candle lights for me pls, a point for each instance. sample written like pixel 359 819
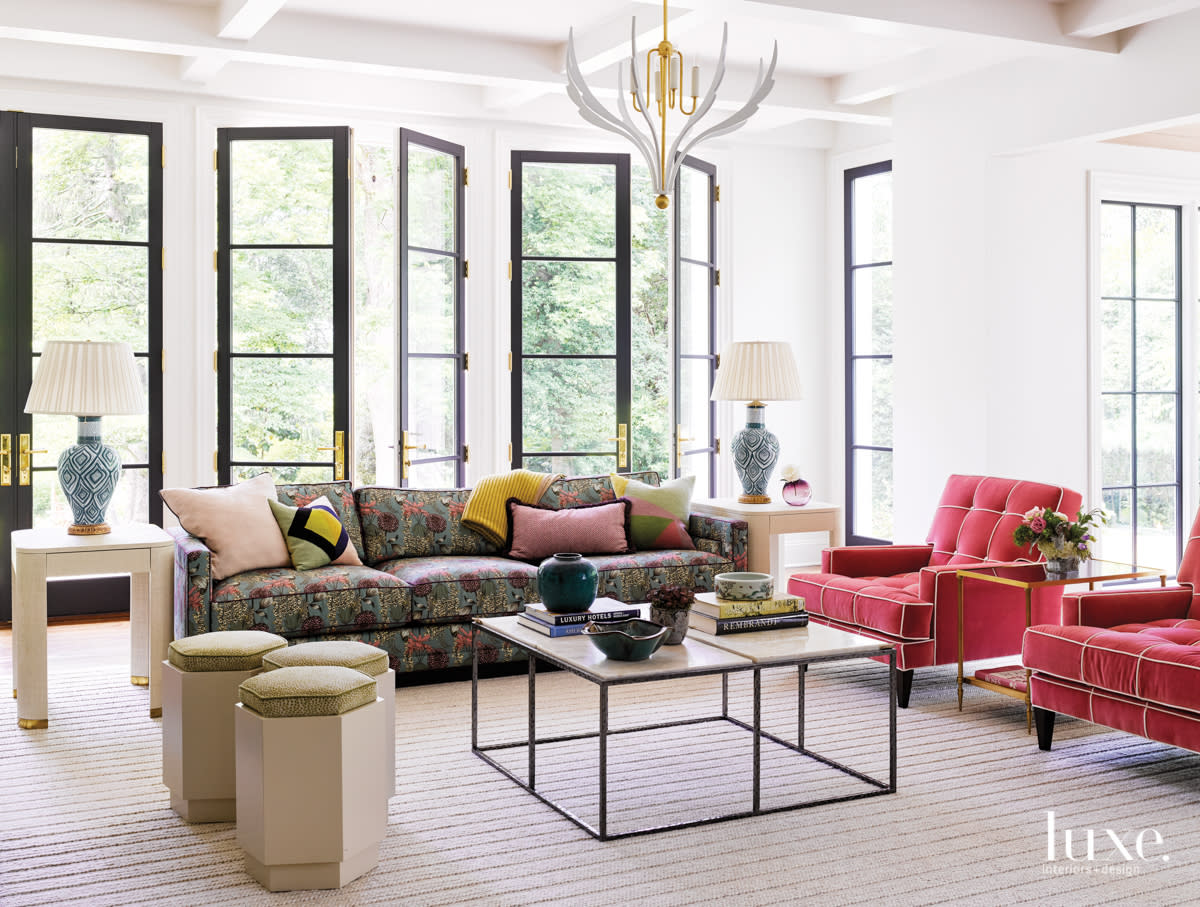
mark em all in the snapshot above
pixel 664 73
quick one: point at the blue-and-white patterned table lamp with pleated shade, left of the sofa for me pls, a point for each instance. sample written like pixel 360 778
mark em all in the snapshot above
pixel 88 381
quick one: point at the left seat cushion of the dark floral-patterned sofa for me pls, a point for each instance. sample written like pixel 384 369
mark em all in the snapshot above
pixel 305 603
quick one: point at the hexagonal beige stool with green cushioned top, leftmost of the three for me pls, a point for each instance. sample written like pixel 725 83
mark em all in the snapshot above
pixel 200 689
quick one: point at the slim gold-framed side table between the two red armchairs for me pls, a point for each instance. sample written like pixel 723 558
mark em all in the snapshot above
pixel 1018 687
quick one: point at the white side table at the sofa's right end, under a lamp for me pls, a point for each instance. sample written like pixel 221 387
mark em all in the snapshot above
pixel 769 526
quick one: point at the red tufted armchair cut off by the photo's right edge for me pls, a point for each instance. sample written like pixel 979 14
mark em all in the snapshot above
pixel 1129 660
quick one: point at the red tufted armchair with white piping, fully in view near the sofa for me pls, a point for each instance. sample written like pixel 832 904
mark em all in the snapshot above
pixel 908 594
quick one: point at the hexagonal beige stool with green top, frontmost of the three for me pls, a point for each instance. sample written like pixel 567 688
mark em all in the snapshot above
pixel 311 810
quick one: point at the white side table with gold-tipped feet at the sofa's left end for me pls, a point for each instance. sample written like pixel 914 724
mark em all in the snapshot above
pixel 145 552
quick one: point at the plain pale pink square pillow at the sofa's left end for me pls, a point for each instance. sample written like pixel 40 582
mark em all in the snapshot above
pixel 236 522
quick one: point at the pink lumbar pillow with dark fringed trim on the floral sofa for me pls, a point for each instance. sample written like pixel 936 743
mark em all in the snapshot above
pixel 537 533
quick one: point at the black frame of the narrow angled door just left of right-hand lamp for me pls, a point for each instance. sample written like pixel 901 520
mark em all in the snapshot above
pixel 711 445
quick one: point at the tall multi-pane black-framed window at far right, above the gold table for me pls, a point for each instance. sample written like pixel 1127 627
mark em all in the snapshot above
pixel 1141 375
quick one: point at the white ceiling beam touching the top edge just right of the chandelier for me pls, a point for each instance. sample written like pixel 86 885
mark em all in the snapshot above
pixel 1030 26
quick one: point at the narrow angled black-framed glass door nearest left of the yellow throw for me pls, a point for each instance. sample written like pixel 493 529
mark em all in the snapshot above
pixel 431 325
